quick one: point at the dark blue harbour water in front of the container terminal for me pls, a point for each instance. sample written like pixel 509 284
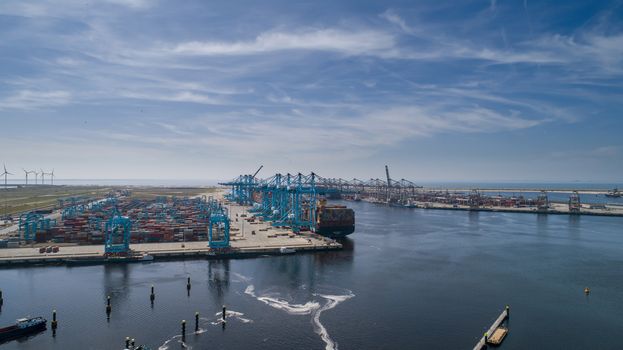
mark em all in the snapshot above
pixel 409 279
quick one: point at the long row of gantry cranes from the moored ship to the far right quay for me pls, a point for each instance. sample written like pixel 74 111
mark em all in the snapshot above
pixel 291 199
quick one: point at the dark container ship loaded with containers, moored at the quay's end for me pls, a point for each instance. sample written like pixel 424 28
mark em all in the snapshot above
pixel 334 220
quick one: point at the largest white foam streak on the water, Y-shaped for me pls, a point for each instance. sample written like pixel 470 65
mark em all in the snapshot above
pixel 311 307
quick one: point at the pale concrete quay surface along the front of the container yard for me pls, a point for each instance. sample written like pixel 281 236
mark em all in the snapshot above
pixel 247 240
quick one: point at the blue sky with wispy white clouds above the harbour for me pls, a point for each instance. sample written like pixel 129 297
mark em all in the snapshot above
pixel 508 91
